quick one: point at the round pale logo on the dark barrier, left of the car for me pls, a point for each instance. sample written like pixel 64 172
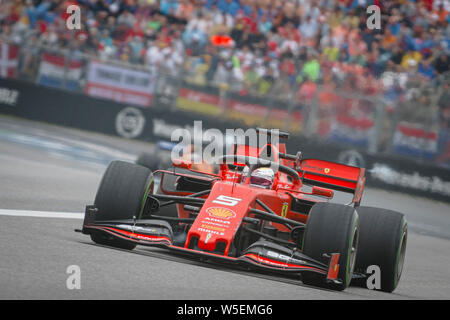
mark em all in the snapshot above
pixel 130 123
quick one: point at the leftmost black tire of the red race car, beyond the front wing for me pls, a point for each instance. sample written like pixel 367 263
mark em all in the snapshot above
pixel 121 195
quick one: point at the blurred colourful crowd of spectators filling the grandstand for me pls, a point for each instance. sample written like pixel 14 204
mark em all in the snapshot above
pixel 285 48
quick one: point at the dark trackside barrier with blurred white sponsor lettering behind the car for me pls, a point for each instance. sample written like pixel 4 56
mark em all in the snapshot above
pixel 30 101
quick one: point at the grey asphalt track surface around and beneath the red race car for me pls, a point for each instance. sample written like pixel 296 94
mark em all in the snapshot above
pixel 48 174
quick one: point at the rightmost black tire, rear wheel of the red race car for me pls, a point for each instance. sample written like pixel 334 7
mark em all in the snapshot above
pixel 382 243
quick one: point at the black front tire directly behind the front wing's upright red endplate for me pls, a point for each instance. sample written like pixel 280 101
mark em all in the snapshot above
pixel 331 228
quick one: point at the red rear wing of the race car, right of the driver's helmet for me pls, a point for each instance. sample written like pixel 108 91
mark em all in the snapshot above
pixel 334 176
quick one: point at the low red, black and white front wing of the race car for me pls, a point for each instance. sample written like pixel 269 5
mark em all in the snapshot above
pixel 262 255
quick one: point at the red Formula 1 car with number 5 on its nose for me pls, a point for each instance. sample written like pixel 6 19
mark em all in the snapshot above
pixel 249 214
